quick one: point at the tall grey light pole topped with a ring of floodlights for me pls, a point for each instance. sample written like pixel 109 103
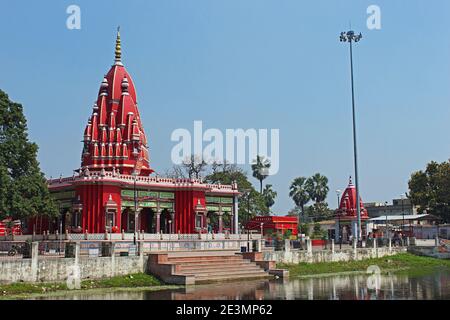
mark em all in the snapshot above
pixel 351 37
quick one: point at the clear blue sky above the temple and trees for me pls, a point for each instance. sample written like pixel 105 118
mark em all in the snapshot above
pixel 244 64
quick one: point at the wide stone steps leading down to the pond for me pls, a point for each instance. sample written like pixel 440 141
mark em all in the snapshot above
pixel 208 266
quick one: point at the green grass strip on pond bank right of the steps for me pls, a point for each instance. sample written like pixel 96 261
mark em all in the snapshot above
pixel 405 261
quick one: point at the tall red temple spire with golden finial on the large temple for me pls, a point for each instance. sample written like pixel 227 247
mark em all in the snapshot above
pixel 116 123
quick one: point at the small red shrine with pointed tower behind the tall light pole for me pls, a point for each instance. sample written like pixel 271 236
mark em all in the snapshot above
pixel 346 215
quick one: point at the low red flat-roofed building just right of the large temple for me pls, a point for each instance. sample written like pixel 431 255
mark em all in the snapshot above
pixel 273 225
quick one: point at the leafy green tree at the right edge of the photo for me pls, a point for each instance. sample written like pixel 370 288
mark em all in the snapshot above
pixel 430 189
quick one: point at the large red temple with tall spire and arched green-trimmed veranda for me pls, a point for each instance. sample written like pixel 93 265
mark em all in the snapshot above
pixel 114 189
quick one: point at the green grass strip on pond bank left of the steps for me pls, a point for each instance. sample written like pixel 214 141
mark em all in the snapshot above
pixel 138 280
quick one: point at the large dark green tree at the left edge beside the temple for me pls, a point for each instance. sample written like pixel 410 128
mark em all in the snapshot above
pixel 23 187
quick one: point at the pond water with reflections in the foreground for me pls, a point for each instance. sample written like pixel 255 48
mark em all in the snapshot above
pixel 345 287
